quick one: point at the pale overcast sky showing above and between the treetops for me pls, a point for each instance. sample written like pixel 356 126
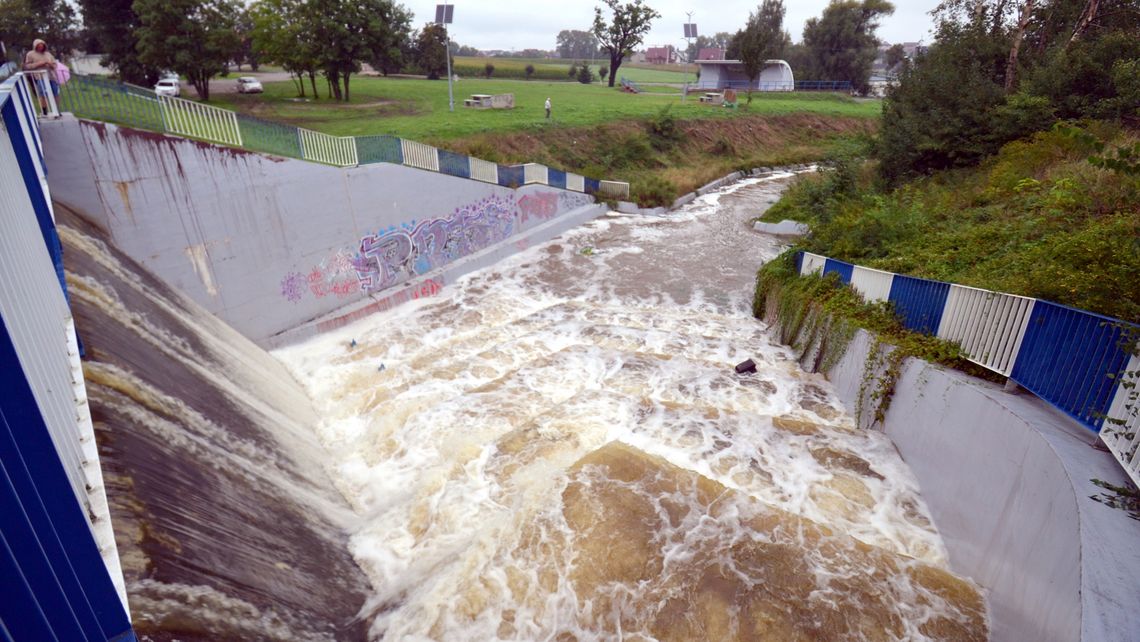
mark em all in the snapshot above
pixel 524 25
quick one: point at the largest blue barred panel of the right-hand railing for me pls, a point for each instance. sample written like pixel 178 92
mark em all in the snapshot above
pixel 1073 360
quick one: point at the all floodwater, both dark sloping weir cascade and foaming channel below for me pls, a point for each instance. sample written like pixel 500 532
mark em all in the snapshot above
pixel 556 449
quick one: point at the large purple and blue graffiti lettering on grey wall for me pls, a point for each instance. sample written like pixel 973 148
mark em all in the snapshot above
pixel 398 254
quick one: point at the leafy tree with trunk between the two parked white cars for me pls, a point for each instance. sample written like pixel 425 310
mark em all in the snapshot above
pixel 193 38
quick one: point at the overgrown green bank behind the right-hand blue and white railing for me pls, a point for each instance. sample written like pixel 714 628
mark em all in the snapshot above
pixel 1039 220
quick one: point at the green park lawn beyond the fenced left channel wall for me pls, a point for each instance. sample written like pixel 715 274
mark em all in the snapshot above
pixel 418 109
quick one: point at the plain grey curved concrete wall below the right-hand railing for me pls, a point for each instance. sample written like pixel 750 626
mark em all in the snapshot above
pixel 1008 481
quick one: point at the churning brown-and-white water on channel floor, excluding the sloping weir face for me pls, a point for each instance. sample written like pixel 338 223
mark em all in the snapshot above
pixel 559 449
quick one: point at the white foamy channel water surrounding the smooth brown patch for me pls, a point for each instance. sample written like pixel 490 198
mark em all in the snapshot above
pixel 458 452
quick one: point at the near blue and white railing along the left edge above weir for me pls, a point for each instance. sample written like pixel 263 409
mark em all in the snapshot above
pixel 59 562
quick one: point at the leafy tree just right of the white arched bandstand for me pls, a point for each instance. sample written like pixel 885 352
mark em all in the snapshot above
pixel 842 43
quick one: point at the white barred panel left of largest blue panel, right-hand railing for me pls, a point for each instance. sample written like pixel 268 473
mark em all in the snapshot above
pixel 989 327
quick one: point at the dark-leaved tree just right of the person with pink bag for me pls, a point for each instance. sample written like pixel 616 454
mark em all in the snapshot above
pixel 113 26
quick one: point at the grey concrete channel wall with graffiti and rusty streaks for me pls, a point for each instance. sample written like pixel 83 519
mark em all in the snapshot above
pixel 271 245
